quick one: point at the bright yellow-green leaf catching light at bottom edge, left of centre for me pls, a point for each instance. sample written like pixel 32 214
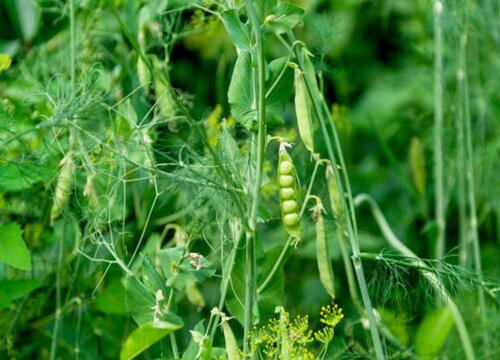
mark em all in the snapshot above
pixel 145 336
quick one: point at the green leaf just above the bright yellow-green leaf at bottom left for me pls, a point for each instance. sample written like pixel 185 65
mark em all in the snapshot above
pixel 139 300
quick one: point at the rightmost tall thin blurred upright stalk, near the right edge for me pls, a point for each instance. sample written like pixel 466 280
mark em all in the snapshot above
pixel 470 183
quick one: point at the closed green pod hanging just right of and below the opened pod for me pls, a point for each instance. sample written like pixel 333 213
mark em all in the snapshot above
pixel 325 269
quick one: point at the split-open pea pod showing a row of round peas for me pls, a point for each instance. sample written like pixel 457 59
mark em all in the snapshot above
pixel 288 193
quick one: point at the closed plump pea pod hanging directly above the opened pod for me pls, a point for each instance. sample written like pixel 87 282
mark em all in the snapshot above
pixel 303 111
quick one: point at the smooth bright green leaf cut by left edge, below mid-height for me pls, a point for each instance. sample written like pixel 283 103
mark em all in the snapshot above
pixel 13 250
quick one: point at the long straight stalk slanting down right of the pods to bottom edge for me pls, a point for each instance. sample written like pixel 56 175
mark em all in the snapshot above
pixel 348 209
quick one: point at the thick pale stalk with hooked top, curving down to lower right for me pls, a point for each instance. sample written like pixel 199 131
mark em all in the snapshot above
pixel 430 276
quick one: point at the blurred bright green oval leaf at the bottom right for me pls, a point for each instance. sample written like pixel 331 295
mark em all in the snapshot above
pixel 433 332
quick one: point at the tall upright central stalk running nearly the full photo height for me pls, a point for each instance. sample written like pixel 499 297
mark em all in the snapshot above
pixel 259 80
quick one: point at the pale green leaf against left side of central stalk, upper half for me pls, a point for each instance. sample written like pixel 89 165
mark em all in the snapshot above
pixel 240 95
